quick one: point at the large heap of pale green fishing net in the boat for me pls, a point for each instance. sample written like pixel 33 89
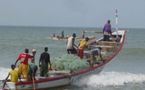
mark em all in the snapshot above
pixel 69 62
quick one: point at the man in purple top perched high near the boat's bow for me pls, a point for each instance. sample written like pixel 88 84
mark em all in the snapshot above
pixel 107 31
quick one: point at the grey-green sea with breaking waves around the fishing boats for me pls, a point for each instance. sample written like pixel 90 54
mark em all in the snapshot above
pixel 124 72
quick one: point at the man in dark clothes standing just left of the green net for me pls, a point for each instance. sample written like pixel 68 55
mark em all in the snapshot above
pixel 43 62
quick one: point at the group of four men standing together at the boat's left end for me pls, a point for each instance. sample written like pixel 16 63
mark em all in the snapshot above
pixel 27 70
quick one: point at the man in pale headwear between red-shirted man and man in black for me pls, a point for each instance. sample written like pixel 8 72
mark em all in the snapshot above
pixel 32 66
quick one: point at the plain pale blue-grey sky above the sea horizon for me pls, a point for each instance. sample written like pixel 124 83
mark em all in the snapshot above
pixel 72 13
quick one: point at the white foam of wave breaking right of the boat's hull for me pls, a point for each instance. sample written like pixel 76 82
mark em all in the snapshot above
pixel 110 79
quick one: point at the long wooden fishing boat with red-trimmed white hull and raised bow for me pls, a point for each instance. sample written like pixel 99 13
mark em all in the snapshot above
pixel 60 78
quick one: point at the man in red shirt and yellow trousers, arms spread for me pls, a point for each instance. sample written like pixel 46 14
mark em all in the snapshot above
pixel 23 66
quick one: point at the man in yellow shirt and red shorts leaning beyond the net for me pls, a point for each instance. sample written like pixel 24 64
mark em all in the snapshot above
pixel 82 45
